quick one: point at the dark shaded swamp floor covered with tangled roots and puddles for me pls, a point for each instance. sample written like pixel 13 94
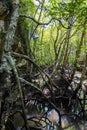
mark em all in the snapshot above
pixel 62 96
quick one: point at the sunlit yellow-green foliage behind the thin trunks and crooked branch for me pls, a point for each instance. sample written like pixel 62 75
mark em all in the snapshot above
pixel 44 49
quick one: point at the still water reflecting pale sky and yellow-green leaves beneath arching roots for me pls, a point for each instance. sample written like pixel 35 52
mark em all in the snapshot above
pixel 48 119
